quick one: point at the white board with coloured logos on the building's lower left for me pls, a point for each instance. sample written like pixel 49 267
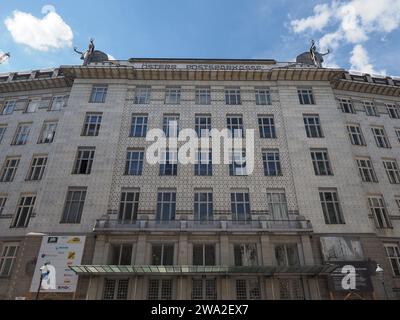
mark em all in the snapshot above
pixel 60 252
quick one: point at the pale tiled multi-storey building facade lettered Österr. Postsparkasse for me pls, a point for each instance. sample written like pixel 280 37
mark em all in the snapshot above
pixel 325 188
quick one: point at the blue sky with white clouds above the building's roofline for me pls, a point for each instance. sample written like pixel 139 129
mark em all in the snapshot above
pixel 363 35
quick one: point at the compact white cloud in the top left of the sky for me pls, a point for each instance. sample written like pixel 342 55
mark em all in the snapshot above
pixel 49 32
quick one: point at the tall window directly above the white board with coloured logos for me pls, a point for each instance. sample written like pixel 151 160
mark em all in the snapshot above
pixel 74 206
